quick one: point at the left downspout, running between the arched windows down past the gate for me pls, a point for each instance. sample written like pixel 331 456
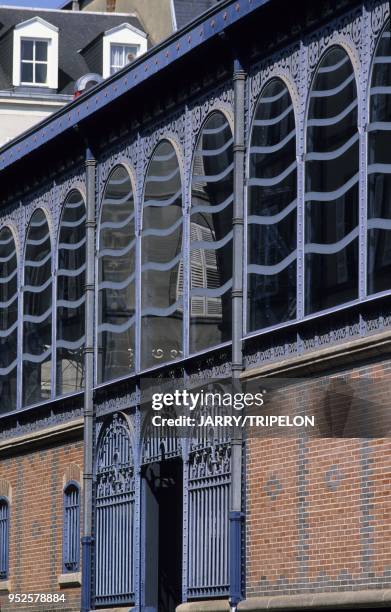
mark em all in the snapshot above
pixel 87 541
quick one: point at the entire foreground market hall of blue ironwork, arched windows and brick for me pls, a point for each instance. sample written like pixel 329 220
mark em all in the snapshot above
pixel 217 209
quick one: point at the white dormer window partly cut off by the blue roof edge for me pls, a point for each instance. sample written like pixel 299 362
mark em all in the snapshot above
pixel 121 45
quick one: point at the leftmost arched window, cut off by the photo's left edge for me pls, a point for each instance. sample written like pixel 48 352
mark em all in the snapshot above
pixel 8 320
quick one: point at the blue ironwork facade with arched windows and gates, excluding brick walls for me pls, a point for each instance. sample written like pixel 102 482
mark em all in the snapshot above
pixel 180 159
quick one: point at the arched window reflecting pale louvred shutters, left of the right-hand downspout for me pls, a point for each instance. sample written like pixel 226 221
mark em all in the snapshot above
pixel 211 235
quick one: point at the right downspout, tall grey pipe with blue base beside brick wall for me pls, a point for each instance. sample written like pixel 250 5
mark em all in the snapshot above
pixel 235 515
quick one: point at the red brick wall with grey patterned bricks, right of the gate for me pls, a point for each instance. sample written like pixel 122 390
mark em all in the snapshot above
pixel 319 508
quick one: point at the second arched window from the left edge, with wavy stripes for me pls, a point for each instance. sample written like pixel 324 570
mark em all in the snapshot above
pixel 37 313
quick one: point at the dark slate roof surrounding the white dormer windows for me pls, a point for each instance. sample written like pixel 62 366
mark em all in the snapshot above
pixel 76 30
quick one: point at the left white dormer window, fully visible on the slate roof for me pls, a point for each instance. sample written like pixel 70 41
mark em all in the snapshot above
pixel 35 54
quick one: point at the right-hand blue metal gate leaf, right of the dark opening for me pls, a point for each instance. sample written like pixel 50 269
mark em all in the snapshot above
pixel 209 491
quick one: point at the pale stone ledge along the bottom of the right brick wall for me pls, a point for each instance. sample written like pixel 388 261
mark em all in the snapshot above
pixel 378 598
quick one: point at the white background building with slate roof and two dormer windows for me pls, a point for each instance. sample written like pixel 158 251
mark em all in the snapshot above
pixel 43 54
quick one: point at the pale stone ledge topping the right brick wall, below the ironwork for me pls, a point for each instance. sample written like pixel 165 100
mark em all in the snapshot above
pixel 344 353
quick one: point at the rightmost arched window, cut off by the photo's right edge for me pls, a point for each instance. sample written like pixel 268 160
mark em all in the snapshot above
pixel 379 169
